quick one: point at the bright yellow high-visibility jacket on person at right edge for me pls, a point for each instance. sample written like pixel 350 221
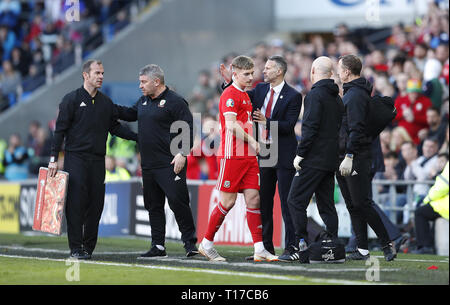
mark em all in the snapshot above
pixel 437 196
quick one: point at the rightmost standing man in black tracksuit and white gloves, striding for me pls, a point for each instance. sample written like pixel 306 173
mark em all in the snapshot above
pixel 354 175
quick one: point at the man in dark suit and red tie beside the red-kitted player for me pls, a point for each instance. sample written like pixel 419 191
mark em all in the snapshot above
pixel 275 104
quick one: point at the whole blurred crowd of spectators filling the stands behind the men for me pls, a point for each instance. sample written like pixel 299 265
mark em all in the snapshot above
pixel 411 64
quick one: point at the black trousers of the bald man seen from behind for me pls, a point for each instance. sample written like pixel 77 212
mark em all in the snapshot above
pixel 308 182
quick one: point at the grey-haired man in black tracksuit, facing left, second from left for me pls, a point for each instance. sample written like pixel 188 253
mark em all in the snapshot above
pixel 160 113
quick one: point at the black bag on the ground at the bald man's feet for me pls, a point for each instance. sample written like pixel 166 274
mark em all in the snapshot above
pixel 326 249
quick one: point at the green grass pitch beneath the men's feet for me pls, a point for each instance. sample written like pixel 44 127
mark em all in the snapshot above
pixel 43 260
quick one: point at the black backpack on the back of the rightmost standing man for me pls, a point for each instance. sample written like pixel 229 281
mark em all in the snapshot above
pixel 381 113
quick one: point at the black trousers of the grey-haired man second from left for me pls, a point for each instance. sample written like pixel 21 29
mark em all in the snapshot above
pixel 160 183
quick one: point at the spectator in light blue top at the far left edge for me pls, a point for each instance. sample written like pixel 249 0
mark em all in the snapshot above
pixel 16 159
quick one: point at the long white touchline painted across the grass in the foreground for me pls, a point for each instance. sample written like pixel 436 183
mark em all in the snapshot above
pixel 219 272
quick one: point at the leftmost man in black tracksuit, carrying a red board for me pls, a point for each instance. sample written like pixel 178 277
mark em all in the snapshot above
pixel 85 117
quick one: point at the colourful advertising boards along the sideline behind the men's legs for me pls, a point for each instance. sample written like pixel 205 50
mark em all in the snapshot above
pixel 124 212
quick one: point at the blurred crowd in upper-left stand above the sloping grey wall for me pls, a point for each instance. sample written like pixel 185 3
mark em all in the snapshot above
pixel 37 41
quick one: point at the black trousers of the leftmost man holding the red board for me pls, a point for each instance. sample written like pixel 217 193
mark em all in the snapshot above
pixel 85 200
